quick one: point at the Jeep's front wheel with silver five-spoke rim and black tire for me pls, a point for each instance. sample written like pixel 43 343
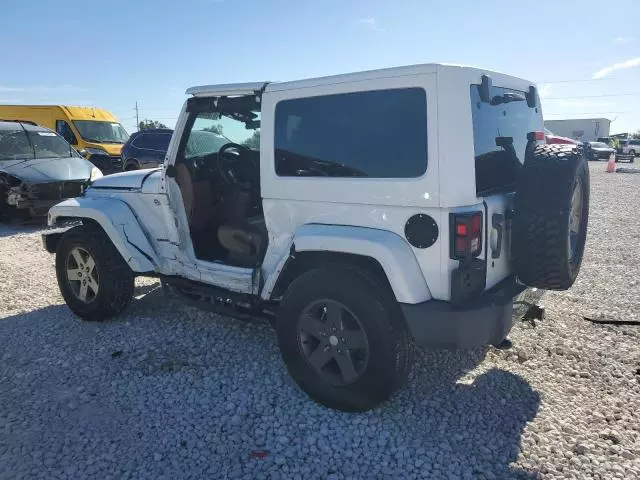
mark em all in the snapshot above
pixel 93 278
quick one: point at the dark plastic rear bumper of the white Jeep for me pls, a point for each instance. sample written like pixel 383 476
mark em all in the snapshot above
pixel 486 321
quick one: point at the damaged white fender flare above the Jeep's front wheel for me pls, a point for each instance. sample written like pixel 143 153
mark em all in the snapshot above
pixel 119 223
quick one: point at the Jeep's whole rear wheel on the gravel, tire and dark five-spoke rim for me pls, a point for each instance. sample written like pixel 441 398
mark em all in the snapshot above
pixel 343 339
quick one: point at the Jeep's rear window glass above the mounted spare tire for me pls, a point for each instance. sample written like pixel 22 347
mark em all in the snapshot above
pixel 500 129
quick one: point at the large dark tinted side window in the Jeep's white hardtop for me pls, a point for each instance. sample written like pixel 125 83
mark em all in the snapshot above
pixel 375 134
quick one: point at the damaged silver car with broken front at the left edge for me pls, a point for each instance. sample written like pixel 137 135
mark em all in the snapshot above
pixel 38 169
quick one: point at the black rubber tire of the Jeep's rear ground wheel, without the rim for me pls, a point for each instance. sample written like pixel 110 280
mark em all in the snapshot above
pixel 390 347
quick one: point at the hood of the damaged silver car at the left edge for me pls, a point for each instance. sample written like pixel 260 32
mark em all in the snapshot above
pixel 44 170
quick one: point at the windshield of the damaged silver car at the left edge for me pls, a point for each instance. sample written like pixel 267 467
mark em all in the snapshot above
pixel 26 145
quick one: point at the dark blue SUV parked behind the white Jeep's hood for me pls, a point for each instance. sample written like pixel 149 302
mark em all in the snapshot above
pixel 146 149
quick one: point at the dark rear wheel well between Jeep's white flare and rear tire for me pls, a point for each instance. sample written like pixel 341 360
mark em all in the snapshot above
pixel 301 262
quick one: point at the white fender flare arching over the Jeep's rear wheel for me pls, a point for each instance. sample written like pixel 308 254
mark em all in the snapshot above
pixel 390 250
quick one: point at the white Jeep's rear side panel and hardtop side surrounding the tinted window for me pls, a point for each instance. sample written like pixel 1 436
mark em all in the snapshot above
pixel 373 203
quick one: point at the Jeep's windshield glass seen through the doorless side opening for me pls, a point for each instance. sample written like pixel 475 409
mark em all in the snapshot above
pixel 211 131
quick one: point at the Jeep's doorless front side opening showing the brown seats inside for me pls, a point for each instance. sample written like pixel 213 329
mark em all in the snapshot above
pixel 218 171
